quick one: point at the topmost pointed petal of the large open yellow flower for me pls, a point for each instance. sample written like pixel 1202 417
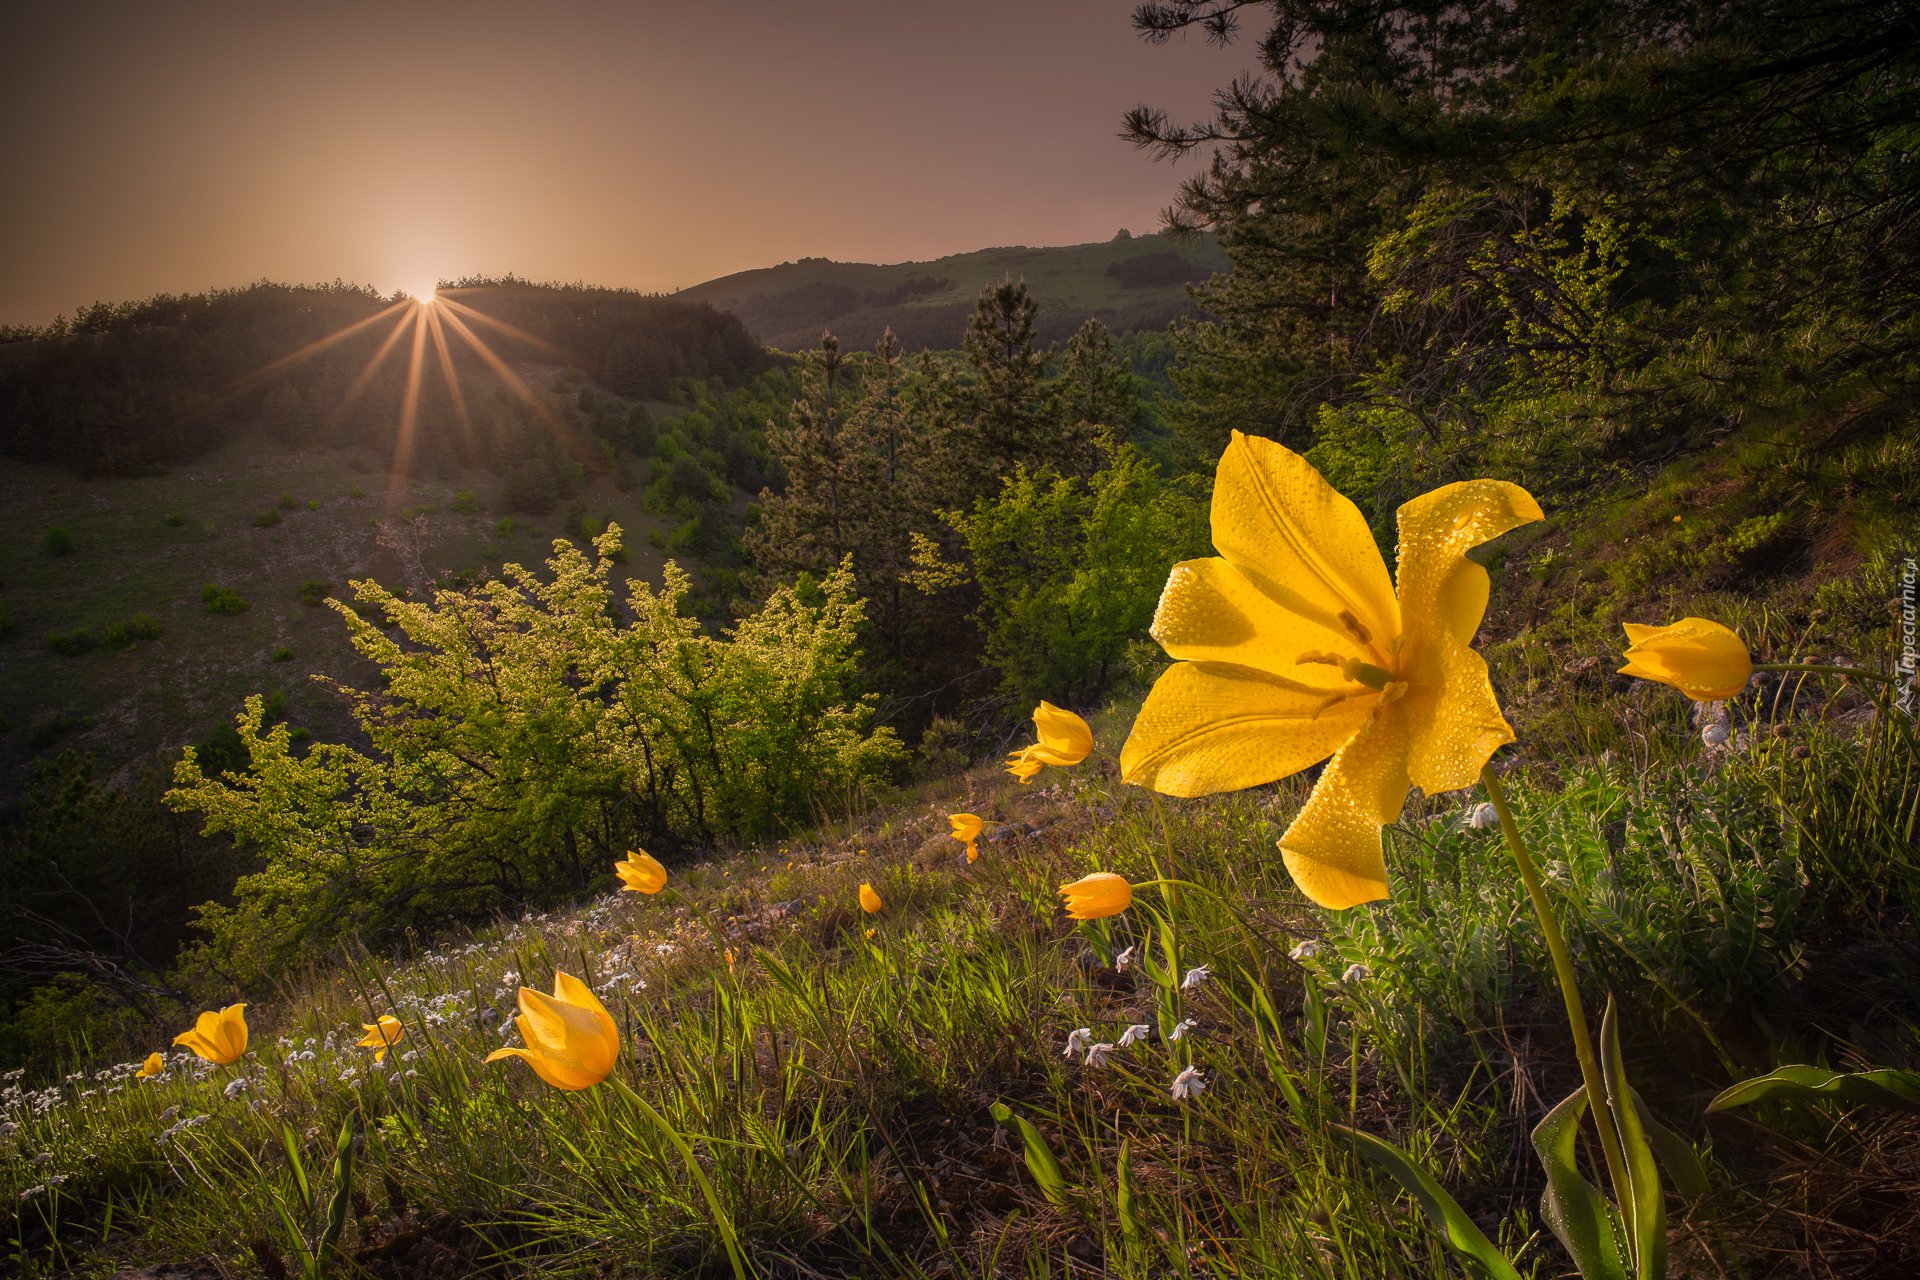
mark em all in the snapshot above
pixel 1301 542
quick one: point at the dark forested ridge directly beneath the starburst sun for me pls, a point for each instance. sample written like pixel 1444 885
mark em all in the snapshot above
pixel 124 389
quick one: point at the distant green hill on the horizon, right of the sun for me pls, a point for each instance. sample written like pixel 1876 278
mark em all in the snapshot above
pixel 1132 285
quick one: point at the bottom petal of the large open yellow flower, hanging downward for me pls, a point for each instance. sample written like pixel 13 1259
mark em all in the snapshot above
pixel 1333 849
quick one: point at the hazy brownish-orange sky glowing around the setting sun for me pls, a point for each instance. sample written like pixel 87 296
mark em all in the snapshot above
pixel 181 147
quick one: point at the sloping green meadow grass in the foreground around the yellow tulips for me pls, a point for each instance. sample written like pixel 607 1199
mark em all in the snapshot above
pixel 830 1079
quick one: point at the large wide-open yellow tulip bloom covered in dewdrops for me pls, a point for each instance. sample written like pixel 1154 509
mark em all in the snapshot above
pixel 1295 646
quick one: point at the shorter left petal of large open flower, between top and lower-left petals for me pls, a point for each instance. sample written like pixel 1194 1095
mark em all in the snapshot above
pixel 1214 613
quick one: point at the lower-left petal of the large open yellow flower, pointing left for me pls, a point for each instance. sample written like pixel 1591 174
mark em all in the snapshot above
pixel 1211 726
